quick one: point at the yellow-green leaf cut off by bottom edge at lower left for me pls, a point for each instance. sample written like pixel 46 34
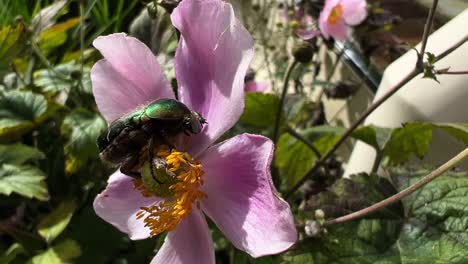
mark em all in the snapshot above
pixel 63 252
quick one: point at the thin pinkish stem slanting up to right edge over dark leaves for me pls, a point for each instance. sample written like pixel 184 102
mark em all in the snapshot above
pixel 397 197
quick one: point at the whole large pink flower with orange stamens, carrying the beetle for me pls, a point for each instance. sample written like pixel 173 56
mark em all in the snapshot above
pixel 233 177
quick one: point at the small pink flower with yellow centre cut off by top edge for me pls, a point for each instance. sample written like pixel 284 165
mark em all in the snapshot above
pixel 338 15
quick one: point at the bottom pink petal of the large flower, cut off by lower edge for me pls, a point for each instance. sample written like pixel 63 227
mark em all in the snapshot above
pixel 189 243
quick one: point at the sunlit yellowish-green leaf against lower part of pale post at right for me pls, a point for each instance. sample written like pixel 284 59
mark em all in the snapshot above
pixel 411 139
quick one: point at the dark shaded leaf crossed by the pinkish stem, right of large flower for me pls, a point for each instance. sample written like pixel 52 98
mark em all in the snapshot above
pixel 368 240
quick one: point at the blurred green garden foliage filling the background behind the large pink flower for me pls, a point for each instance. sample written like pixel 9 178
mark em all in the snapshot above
pixel 50 170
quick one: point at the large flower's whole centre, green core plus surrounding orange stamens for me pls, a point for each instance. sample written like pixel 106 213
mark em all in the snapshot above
pixel 177 178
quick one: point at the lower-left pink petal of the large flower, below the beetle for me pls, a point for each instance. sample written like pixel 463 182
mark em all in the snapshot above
pixel 119 203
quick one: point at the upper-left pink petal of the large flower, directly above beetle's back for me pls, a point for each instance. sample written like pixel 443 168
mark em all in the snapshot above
pixel 127 77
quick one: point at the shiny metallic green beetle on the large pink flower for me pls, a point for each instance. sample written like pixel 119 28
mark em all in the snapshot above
pixel 156 123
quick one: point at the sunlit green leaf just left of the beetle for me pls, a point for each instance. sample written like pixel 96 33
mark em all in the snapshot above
pixel 83 127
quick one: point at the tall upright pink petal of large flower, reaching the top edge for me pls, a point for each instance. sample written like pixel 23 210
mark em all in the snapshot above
pixel 211 62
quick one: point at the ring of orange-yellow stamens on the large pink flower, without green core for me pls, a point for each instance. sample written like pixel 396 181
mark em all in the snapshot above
pixel 165 215
